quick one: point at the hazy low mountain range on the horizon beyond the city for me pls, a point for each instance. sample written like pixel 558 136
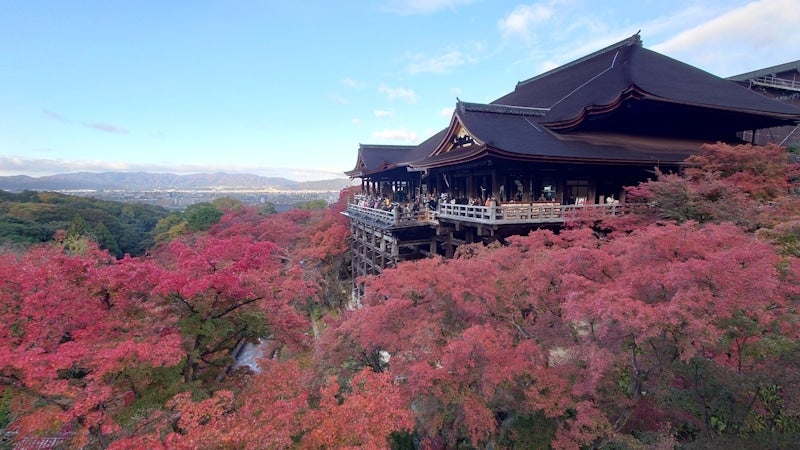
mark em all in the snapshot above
pixel 142 181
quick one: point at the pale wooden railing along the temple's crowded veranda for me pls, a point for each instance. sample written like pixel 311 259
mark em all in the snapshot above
pixel 512 213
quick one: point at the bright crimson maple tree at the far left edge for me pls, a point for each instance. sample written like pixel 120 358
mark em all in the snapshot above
pixel 73 330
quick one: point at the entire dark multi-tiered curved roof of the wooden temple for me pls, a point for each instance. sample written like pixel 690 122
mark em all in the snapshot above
pixel 623 104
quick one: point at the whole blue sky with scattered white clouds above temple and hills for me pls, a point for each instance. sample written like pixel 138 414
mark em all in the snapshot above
pixel 291 88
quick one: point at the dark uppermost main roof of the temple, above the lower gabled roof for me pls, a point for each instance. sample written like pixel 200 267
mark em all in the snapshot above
pixel 626 68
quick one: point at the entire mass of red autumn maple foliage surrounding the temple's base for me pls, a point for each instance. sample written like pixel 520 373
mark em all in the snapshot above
pixel 673 326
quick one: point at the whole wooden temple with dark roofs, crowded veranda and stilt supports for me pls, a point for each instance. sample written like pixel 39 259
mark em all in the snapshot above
pixel 568 139
